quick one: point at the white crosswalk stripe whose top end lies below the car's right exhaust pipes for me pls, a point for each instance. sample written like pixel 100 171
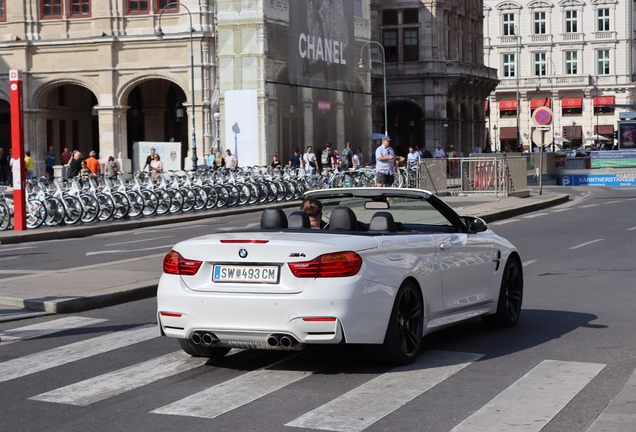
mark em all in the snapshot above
pixel 232 394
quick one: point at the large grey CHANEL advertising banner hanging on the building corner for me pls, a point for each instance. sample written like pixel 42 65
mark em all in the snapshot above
pixel 321 44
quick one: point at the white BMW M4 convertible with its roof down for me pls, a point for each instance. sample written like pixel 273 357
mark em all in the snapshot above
pixel 386 267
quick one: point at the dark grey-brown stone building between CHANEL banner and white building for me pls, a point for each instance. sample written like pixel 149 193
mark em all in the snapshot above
pixel 436 79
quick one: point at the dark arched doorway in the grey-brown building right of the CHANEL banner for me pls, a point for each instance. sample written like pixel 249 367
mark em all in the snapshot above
pixel 406 126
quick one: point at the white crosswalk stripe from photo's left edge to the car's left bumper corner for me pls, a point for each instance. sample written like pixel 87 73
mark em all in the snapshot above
pixel 49 359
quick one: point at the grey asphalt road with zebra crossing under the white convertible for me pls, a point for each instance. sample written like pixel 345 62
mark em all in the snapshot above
pixel 574 344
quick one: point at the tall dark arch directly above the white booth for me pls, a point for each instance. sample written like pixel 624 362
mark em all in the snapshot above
pixel 158 112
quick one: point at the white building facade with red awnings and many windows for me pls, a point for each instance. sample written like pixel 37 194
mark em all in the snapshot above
pixel 575 57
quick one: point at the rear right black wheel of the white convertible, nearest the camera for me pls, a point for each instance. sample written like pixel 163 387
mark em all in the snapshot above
pixel 403 338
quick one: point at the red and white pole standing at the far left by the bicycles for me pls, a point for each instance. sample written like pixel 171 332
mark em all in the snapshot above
pixel 17 150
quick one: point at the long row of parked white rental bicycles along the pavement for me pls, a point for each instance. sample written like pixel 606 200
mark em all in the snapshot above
pixel 67 202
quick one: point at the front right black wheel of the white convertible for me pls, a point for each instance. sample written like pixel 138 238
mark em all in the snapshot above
pixel 510 297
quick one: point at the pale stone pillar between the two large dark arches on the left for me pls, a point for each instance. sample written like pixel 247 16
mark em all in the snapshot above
pixel 113 135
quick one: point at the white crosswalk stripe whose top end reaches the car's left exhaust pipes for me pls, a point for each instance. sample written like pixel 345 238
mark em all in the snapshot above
pixel 111 384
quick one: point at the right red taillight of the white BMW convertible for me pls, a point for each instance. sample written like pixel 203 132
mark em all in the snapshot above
pixel 339 264
